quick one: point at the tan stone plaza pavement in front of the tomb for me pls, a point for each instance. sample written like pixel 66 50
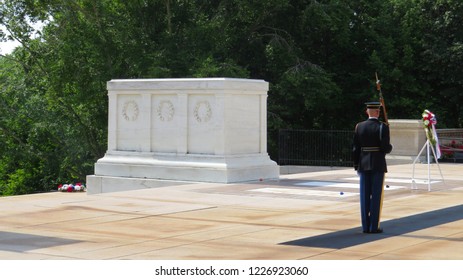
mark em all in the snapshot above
pixel 312 216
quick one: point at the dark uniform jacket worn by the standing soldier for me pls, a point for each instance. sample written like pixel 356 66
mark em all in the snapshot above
pixel 371 143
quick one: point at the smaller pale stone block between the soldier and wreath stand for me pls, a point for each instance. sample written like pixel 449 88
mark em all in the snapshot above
pixel 408 137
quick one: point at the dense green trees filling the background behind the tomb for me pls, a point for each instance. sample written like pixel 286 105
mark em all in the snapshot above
pixel 320 58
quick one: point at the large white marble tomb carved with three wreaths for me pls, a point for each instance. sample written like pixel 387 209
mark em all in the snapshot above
pixel 209 130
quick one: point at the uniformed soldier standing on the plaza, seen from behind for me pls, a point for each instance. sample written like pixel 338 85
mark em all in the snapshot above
pixel 371 144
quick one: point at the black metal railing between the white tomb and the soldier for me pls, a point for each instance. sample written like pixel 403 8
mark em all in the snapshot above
pixel 315 147
